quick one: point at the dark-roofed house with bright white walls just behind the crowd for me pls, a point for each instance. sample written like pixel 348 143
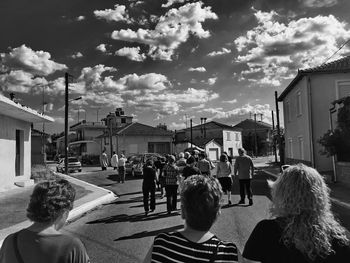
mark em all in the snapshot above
pixel 213 137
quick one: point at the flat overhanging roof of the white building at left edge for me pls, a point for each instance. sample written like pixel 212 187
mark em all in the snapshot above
pixel 18 111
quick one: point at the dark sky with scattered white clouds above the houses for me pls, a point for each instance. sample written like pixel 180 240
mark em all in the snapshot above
pixel 164 61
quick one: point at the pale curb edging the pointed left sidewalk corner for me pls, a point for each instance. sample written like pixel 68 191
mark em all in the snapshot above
pixel 96 197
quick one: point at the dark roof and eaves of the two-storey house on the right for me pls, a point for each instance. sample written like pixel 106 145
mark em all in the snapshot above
pixel 337 66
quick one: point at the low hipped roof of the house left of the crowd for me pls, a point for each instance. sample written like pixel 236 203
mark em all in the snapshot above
pixel 139 129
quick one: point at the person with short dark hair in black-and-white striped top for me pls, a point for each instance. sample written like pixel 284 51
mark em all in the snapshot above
pixel 200 207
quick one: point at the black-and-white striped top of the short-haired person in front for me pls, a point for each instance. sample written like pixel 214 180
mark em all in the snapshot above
pixel 174 247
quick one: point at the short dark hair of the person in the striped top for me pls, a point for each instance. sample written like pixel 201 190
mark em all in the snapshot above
pixel 200 198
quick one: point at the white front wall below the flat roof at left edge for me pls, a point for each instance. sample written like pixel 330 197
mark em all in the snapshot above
pixel 8 128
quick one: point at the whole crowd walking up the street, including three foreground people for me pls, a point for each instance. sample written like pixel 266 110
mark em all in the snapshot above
pixel 302 227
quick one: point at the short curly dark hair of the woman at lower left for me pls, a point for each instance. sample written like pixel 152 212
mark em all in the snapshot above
pixel 49 200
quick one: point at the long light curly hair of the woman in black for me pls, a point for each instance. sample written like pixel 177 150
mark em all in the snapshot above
pixel 301 197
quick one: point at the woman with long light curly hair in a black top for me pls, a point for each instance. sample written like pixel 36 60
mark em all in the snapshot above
pixel 304 229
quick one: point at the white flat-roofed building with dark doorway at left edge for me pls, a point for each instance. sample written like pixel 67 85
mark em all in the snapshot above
pixel 15 142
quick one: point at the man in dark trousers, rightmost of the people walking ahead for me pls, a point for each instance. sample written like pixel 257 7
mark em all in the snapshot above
pixel 245 168
